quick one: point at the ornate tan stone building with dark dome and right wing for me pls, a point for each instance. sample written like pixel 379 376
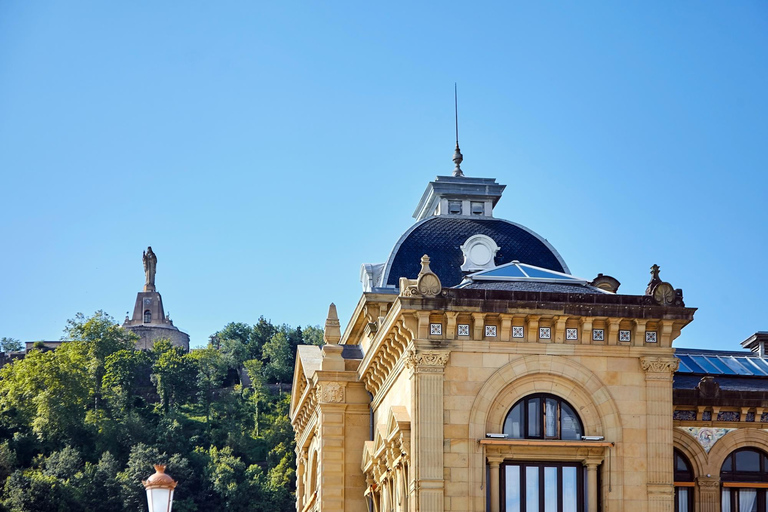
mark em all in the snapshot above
pixel 478 374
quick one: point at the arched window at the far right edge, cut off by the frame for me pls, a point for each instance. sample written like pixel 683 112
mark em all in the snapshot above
pixel 744 480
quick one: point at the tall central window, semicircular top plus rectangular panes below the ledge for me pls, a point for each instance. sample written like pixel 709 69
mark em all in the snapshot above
pixel 543 486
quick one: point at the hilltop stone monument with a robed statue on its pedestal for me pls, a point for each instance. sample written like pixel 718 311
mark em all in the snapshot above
pixel 149 320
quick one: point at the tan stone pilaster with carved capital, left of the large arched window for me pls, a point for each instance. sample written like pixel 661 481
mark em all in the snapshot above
pixel 427 371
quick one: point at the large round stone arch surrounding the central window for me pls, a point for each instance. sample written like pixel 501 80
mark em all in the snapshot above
pixel 541 374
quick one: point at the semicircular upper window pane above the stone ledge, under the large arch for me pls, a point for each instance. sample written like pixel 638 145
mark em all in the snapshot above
pixel 543 416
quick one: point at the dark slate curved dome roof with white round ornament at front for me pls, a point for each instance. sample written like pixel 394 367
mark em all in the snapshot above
pixel 441 238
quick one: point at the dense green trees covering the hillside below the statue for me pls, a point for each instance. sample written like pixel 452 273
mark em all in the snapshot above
pixel 82 425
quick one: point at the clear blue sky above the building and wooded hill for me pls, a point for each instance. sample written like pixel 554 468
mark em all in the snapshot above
pixel 266 149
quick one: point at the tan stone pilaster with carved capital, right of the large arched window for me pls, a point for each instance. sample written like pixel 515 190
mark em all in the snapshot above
pixel 659 410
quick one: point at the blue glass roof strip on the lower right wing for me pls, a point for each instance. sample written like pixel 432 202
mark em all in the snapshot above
pixel 723 363
